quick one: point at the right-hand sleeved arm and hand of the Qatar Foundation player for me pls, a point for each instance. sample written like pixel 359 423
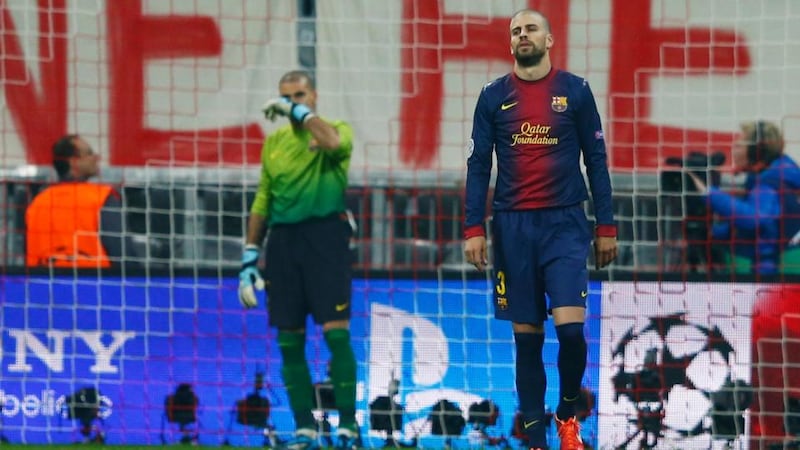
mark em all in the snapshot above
pixel 593 146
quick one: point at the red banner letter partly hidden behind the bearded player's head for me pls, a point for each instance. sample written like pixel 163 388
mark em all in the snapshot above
pixel 429 39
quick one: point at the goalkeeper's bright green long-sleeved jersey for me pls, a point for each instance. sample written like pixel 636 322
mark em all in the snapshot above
pixel 299 182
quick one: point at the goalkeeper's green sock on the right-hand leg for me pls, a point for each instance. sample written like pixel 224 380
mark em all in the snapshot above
pixel 343 375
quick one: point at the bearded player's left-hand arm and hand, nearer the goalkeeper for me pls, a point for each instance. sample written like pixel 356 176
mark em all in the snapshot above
pixel 479 169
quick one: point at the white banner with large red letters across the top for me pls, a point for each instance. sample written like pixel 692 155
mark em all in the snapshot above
pixel 153 82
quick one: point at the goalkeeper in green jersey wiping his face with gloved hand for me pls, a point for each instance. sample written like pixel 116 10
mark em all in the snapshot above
pixel 301 201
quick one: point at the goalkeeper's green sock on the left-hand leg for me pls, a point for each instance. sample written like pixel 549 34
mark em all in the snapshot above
pixel 297 378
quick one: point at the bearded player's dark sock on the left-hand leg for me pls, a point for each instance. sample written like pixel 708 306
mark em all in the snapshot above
pixel 531 382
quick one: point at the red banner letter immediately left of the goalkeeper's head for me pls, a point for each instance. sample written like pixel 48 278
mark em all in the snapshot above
pixel 133 39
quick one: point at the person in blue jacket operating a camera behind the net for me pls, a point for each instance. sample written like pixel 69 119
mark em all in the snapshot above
pixel 759 223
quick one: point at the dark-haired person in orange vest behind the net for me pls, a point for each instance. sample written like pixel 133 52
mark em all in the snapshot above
pixel 75 223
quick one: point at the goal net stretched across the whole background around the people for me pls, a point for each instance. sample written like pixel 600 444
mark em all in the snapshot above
pixel 159 351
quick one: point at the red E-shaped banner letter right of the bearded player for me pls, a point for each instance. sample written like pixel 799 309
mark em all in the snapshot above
pixel 636 54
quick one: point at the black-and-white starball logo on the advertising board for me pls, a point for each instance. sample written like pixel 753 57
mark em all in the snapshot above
pixel 673 380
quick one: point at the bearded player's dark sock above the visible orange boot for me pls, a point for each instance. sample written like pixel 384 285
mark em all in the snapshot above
pixel 571 366
